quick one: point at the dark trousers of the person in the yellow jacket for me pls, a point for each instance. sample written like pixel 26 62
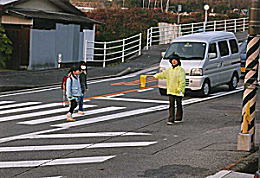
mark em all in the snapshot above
pixel 179 113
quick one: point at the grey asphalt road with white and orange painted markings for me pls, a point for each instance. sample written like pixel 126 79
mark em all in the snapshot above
pixel 123 133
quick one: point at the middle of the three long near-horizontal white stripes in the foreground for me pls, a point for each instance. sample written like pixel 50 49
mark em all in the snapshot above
pixel 74 146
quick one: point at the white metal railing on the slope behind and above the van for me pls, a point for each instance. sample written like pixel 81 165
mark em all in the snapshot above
pixel 165 34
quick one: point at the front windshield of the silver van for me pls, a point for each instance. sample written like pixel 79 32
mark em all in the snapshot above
pixel 186 50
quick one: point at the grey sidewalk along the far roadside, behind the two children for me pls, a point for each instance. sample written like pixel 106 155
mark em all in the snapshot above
pixel 30 79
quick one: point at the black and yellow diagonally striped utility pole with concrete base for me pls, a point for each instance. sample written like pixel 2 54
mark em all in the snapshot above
pixel 246 137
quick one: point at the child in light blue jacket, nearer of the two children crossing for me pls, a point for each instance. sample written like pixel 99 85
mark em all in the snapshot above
pixel 73 91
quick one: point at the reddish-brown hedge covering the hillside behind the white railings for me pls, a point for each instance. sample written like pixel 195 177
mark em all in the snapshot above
pixel 122 23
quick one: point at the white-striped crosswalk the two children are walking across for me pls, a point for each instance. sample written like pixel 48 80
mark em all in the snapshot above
pixel 54 115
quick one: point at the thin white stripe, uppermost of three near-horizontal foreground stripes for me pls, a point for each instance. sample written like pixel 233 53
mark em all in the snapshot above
pixel 83 135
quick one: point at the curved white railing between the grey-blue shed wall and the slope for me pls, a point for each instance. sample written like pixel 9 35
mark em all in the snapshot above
pixel 113 50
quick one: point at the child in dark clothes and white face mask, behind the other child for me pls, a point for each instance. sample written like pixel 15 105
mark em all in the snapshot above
pixel 83 85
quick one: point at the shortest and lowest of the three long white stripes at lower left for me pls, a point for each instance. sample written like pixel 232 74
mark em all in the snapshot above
pixel 65 161
